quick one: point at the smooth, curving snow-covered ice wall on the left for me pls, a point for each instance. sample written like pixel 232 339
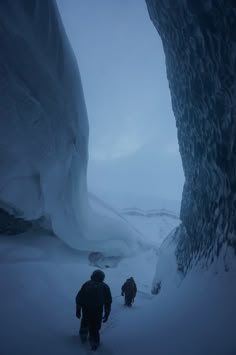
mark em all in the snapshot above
pixel 44 128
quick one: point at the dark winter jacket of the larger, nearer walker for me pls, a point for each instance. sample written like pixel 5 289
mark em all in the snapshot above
pixel 94 295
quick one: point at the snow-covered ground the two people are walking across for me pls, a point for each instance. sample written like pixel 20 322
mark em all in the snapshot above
pixel 40 276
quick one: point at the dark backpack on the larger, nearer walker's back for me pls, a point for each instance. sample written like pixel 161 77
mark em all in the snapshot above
pixel 92 294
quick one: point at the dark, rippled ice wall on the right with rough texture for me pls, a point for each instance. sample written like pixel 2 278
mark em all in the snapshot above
pixel 199 40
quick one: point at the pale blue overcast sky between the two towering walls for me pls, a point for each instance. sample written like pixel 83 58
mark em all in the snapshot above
pixel 133 140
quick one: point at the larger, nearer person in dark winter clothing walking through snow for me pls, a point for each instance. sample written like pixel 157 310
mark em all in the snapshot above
pixel 94 299
